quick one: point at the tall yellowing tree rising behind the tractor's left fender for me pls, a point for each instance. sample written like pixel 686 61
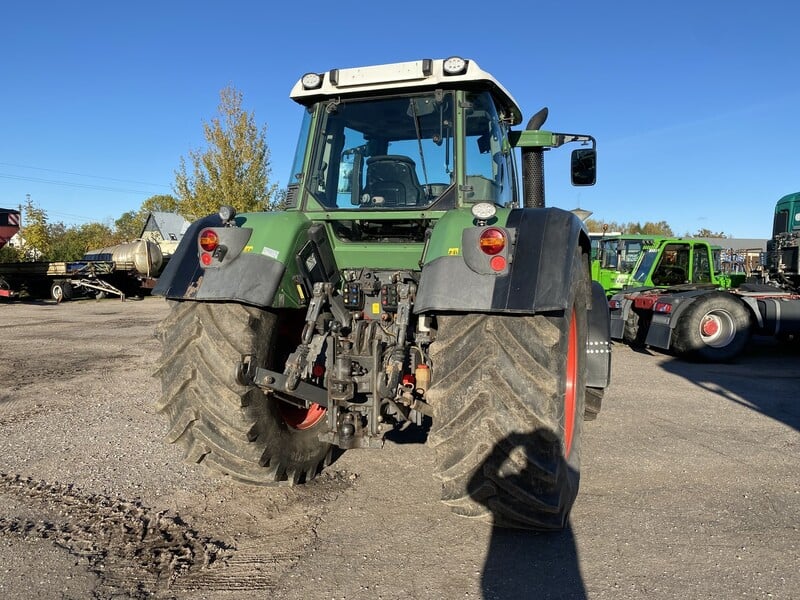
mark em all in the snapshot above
pixel 234 169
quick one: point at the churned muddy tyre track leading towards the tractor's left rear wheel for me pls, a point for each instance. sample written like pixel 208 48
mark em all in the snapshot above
pixel 139 552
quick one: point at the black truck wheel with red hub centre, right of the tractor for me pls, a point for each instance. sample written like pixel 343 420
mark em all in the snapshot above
pixel 714 328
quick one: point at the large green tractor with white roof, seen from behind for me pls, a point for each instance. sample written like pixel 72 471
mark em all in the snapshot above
pixel 408 283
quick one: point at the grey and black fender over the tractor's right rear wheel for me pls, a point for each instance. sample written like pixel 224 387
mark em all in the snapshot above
pixel 537 278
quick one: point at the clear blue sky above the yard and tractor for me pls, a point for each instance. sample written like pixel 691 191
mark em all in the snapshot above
pixel 694 105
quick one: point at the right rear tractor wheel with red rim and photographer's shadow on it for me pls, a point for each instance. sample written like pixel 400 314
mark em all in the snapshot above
pixel 508 396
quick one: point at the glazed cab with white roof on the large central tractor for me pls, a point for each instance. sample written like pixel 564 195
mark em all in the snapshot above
pixel 427 136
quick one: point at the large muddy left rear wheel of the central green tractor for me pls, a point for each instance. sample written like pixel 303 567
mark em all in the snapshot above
pixel 234 429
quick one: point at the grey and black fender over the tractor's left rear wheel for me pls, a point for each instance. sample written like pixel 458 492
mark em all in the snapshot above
pixel 251 279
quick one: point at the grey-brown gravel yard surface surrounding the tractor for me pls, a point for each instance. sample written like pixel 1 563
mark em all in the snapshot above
pixel 690 489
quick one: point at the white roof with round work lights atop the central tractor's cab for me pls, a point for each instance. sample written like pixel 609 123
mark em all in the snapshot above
pixel 404 77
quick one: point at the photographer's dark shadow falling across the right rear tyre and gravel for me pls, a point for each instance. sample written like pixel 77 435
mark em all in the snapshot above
pixel 528 564
